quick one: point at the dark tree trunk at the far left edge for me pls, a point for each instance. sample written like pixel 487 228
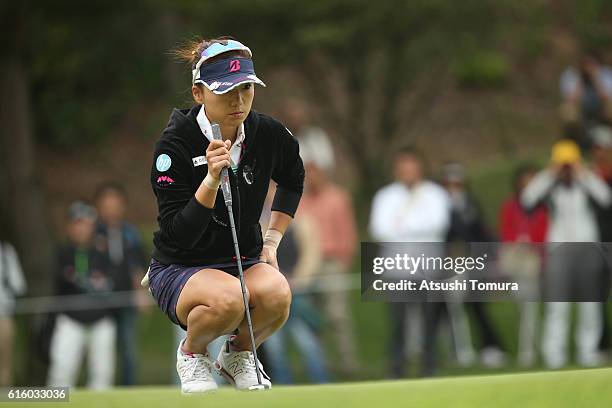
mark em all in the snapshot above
pixel 23 200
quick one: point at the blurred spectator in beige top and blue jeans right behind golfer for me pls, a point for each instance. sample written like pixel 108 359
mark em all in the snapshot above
pixel 299 260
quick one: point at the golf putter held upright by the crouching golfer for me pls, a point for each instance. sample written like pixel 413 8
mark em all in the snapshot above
pixel 227 196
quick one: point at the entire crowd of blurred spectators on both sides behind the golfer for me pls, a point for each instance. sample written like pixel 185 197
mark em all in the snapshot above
pixel 569 201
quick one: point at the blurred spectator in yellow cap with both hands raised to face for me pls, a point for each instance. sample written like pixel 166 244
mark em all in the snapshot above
pixel 572 192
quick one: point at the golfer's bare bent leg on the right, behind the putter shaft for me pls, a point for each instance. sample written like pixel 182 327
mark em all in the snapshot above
pixel 270 298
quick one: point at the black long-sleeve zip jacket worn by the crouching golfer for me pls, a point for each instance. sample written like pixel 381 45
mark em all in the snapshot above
pixel 191 234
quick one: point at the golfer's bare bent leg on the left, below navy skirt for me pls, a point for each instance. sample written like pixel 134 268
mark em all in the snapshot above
pixel 210 305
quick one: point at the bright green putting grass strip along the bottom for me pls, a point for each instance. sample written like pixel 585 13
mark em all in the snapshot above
pixel 543 389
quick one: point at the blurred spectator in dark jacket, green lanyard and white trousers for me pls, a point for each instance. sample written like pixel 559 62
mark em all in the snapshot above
pixel 83 277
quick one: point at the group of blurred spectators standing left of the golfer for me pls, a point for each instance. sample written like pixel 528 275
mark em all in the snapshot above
pixel 96 282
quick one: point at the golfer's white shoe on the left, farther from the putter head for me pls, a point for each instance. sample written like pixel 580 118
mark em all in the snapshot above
pixel 195 372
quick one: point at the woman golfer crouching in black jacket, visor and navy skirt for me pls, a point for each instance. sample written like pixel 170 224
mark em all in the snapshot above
pixel 193 273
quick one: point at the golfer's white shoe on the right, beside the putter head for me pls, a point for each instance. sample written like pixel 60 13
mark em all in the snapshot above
pixel 238 368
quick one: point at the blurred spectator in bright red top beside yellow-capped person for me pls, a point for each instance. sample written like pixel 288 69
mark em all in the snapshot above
pixel 518 258
